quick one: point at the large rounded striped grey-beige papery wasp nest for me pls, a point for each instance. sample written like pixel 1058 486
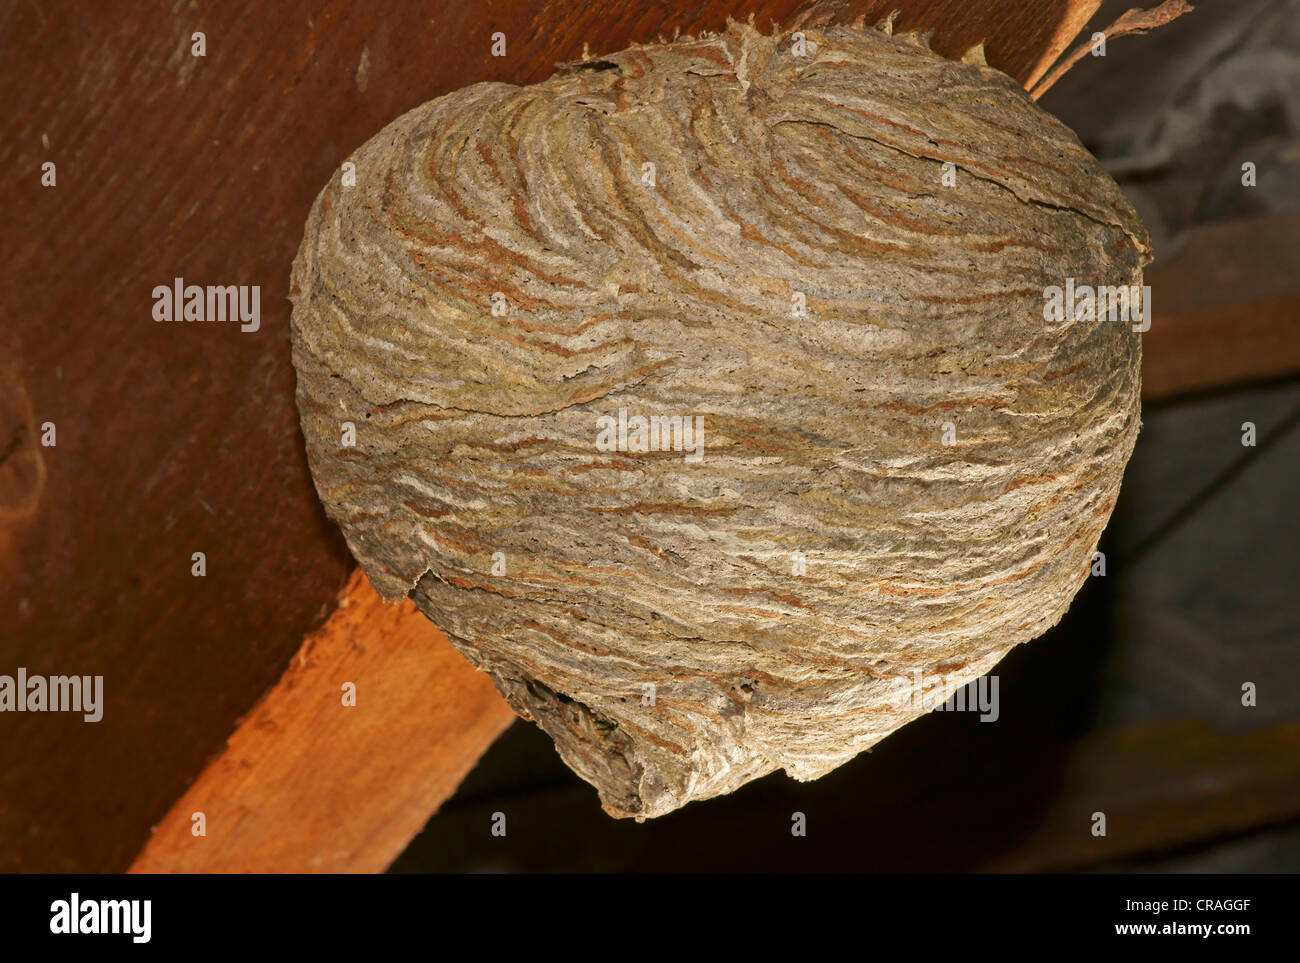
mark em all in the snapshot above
pixel 700 404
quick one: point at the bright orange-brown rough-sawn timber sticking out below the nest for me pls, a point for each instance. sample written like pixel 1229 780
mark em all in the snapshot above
pixel 309 784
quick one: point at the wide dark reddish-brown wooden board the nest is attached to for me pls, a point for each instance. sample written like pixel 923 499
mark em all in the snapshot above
pixel 183 439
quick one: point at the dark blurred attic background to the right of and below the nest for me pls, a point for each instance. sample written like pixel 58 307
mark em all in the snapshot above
pixel 1133 705
